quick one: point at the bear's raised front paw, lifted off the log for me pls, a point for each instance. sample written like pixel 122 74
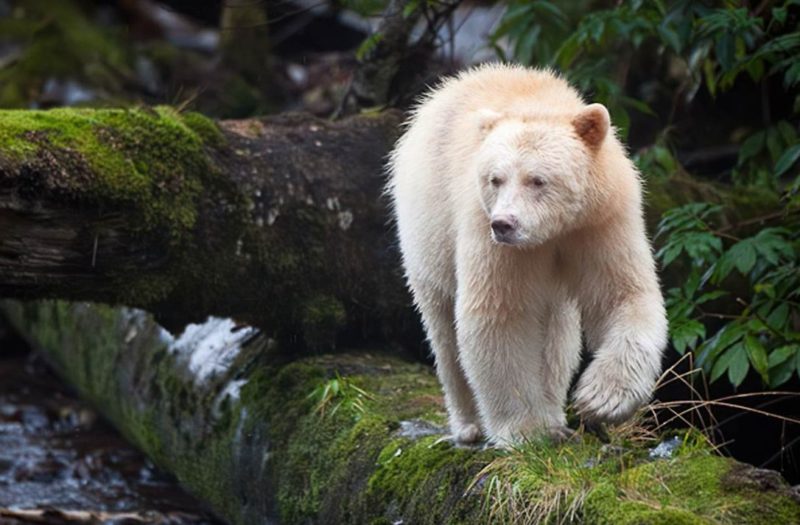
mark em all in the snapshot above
pixel 602 397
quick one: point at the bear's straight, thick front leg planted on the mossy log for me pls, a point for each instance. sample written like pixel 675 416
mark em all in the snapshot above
pixel 505 366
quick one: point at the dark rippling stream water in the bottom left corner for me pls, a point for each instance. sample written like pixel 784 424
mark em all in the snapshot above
pixel 61 463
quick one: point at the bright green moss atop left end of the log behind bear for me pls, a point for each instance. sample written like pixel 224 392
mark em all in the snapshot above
pixel 149 160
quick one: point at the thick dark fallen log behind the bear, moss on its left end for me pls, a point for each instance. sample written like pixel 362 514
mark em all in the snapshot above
pixel 277 222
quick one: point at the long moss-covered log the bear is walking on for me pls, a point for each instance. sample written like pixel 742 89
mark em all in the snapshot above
pixel 357 437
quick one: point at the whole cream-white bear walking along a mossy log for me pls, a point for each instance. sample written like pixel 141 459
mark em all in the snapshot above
pixel 520 222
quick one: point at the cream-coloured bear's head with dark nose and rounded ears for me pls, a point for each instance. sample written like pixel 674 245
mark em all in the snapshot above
pixel 534 173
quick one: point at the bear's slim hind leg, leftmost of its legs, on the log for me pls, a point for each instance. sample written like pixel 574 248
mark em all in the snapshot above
pixel 438 317
